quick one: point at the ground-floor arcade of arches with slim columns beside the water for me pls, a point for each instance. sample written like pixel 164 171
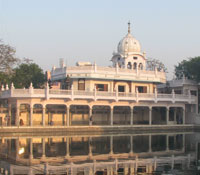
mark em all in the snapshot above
pixel 79 115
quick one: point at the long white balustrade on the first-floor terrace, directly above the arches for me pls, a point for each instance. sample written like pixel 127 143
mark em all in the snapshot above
pixel 95 95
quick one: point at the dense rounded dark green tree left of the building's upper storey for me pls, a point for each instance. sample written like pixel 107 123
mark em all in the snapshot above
pixel 27 73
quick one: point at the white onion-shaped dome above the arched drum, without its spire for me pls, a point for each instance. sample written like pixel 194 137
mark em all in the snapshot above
pixel 128 44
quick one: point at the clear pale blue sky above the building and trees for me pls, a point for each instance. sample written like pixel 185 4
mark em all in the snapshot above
pixel 89 30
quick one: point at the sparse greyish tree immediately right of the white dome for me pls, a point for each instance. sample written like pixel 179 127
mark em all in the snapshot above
pixel 154 63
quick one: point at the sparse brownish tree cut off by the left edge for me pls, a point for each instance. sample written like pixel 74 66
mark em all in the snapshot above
pixel 7 58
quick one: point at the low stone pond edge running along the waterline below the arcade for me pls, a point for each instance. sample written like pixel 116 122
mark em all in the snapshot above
pixel 95 130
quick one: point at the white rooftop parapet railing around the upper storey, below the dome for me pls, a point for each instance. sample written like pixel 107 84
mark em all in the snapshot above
pixel 108 72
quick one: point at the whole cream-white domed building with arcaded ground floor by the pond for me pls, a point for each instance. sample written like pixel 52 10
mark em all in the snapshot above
pixel 122 94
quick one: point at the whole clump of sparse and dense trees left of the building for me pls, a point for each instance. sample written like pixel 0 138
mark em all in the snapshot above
pixel 21 76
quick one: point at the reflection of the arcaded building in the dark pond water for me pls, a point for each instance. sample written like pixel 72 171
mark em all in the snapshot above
pixel 109 154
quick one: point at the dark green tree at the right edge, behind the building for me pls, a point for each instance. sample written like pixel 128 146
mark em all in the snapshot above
pixel 189 68
